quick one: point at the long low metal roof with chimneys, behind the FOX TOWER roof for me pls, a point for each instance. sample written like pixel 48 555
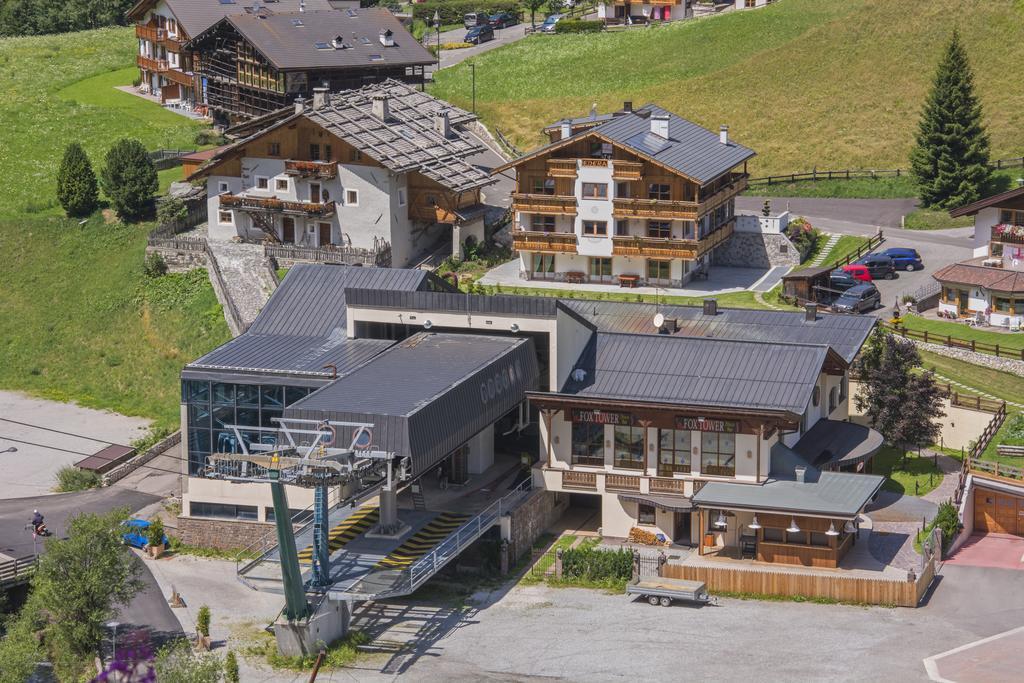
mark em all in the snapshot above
pixel 845 334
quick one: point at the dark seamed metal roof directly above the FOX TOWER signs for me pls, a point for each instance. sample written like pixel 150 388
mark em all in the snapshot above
pixel 695 371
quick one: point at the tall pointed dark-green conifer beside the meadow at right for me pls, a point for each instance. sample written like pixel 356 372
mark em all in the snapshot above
pixel 951 157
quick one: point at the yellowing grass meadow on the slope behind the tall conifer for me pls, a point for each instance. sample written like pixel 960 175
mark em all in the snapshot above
pixel 799 81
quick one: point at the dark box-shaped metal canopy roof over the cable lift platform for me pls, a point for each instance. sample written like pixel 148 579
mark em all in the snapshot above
pixel 430 395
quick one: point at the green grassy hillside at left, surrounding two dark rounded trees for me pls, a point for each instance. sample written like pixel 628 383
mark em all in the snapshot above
pixel 81 321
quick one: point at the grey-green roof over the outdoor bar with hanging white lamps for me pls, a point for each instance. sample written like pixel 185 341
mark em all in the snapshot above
pixel 841 495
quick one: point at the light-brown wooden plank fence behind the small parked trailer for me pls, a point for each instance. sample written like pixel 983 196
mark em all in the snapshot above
pixel 815 586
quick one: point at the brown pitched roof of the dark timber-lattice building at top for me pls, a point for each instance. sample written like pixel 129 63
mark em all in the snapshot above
pixel 292 47
